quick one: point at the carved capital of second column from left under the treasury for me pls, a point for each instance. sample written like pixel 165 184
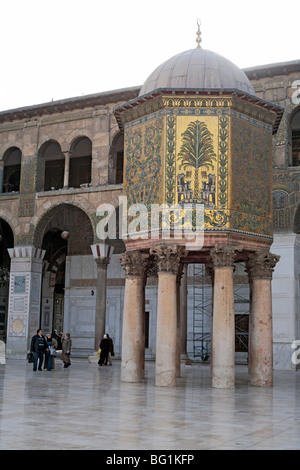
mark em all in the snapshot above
pixel 168 257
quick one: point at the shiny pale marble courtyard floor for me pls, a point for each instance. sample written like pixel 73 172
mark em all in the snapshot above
pixel 88 407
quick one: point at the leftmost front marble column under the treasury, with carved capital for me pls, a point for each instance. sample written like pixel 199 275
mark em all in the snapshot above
pixel 133 335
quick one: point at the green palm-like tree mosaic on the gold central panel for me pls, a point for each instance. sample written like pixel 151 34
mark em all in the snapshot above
pixel 197 150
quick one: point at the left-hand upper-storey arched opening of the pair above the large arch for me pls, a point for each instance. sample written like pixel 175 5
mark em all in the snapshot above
pixel 51 164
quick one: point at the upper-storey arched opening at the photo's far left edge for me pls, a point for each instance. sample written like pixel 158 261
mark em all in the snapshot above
pixel 12 170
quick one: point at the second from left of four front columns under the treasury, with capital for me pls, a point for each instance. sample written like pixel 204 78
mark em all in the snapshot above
pixel 168 261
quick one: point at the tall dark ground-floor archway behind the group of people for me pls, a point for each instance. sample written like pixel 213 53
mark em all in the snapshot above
pixel 66 234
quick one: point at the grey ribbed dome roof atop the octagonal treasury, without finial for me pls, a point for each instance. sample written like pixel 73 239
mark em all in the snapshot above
pixel 197 69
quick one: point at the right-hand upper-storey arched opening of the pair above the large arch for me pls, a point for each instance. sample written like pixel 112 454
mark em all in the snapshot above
pixel 80 163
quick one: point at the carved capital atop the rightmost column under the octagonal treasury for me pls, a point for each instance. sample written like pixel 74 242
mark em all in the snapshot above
pixel 261 265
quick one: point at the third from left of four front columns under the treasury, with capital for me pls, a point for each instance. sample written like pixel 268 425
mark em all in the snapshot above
pixel 223 327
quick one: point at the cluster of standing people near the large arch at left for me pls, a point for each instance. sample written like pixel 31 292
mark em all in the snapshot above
pixel 44 349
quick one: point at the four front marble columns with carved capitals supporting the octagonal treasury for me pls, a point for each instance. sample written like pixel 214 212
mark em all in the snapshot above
pixel 168 258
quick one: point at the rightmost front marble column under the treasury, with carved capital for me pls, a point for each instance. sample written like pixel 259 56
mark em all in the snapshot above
pixel 260 268
